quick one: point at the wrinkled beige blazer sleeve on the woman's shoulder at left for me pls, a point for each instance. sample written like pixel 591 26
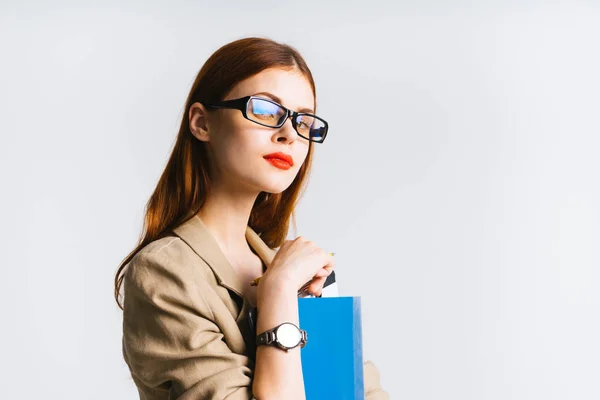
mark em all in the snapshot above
pixel 170 338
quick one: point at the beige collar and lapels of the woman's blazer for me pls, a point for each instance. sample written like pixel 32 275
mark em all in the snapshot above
pixel 197 235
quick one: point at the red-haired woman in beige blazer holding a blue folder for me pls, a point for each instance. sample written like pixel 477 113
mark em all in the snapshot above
pixel 241 158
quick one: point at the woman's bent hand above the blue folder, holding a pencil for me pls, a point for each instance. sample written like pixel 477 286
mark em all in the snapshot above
pixel 297 262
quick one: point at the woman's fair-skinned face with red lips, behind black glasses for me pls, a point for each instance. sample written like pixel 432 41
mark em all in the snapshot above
pixel 238 146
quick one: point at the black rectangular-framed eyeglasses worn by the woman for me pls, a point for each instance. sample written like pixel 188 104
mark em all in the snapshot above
pixel 269 113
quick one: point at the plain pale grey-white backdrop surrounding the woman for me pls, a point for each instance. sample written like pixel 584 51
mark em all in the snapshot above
pixel 458 185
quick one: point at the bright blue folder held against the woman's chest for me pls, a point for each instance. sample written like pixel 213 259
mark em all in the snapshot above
pixel 332 360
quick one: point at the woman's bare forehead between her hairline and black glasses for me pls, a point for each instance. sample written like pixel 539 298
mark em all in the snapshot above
pixel 291 86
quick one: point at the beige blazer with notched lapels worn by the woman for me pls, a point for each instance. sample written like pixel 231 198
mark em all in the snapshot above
pixel 185 321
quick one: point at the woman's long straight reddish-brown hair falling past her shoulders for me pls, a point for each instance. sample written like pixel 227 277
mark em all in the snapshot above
pixel 185 183
